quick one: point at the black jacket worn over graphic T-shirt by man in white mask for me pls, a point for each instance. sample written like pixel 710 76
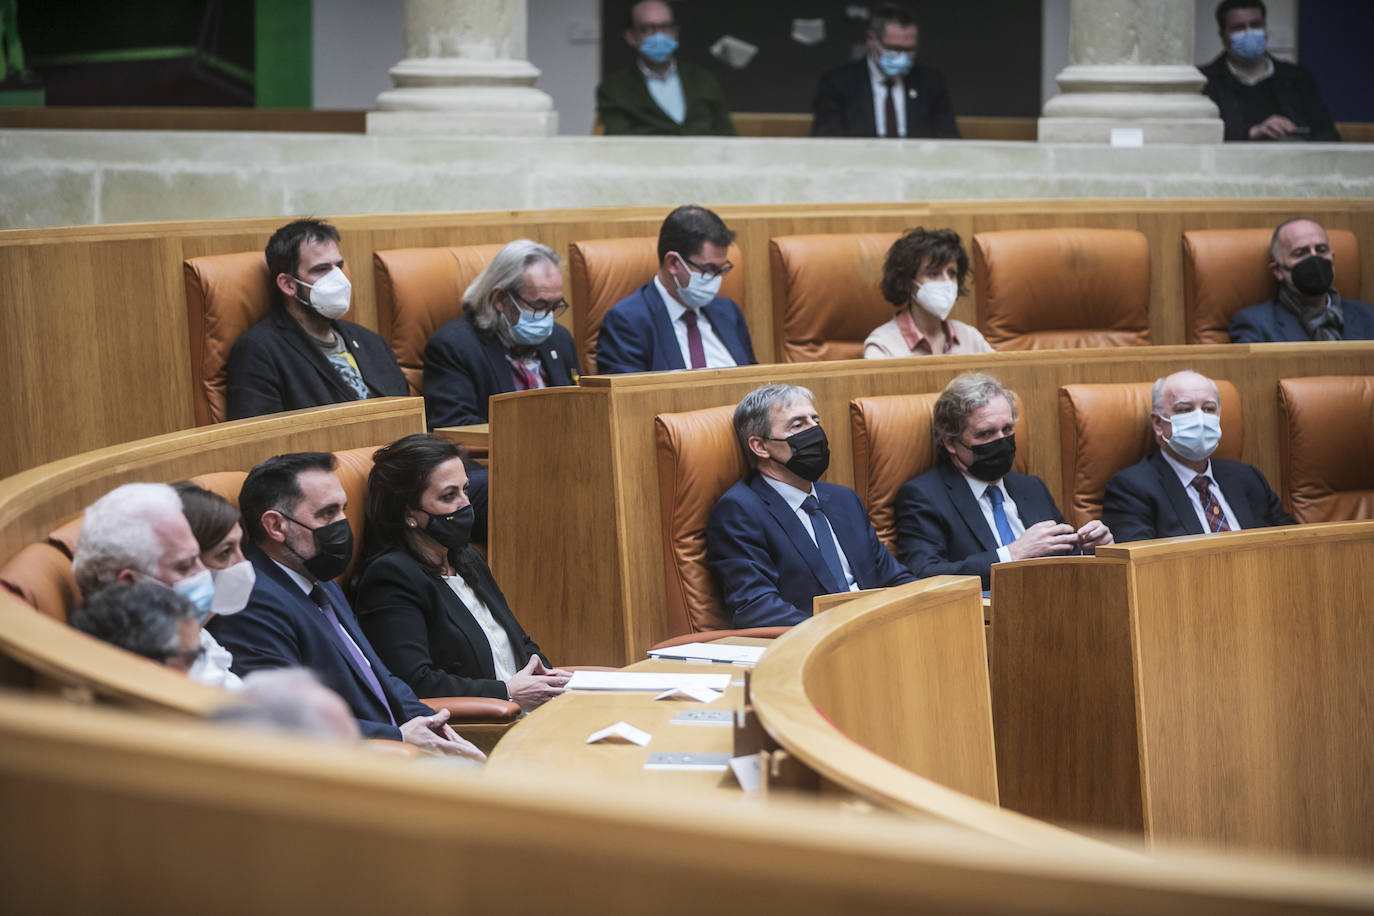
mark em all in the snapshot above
pixel 275 366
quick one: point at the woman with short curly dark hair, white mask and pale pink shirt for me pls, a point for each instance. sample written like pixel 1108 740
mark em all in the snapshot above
pixel 924 278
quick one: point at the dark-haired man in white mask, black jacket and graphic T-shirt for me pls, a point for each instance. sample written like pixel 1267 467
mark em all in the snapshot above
pixel 303 354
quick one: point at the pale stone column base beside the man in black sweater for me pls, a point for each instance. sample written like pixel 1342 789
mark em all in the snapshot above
pixel 1131 67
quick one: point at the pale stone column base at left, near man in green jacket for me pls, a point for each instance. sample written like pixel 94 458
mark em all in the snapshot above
pixel 465 73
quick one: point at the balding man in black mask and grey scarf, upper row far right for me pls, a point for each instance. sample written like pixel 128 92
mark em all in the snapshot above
pixel 1307 308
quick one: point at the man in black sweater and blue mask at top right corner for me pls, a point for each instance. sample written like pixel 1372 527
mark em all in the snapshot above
pixel 1259 97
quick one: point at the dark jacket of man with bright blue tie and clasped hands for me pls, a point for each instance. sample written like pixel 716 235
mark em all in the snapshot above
pixel 942 529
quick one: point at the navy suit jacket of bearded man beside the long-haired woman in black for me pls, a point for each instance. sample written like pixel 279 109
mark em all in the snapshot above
pixel 284 628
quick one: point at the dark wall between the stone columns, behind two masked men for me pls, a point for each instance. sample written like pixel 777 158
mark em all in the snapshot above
pixel 990 51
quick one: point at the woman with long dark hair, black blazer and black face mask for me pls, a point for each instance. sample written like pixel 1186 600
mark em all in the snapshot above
pixel 427 598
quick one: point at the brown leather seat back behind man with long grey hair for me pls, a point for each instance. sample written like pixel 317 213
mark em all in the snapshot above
pixel 418 290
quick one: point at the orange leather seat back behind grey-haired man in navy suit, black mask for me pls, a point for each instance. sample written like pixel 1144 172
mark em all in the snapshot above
pixel 699 461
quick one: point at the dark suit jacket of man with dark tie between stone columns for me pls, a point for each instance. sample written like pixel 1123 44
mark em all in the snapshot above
pixel 843 106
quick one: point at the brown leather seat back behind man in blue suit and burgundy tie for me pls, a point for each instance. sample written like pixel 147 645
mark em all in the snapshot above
pixel 605 271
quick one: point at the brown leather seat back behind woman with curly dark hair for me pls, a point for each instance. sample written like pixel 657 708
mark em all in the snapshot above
pixel 826 295
